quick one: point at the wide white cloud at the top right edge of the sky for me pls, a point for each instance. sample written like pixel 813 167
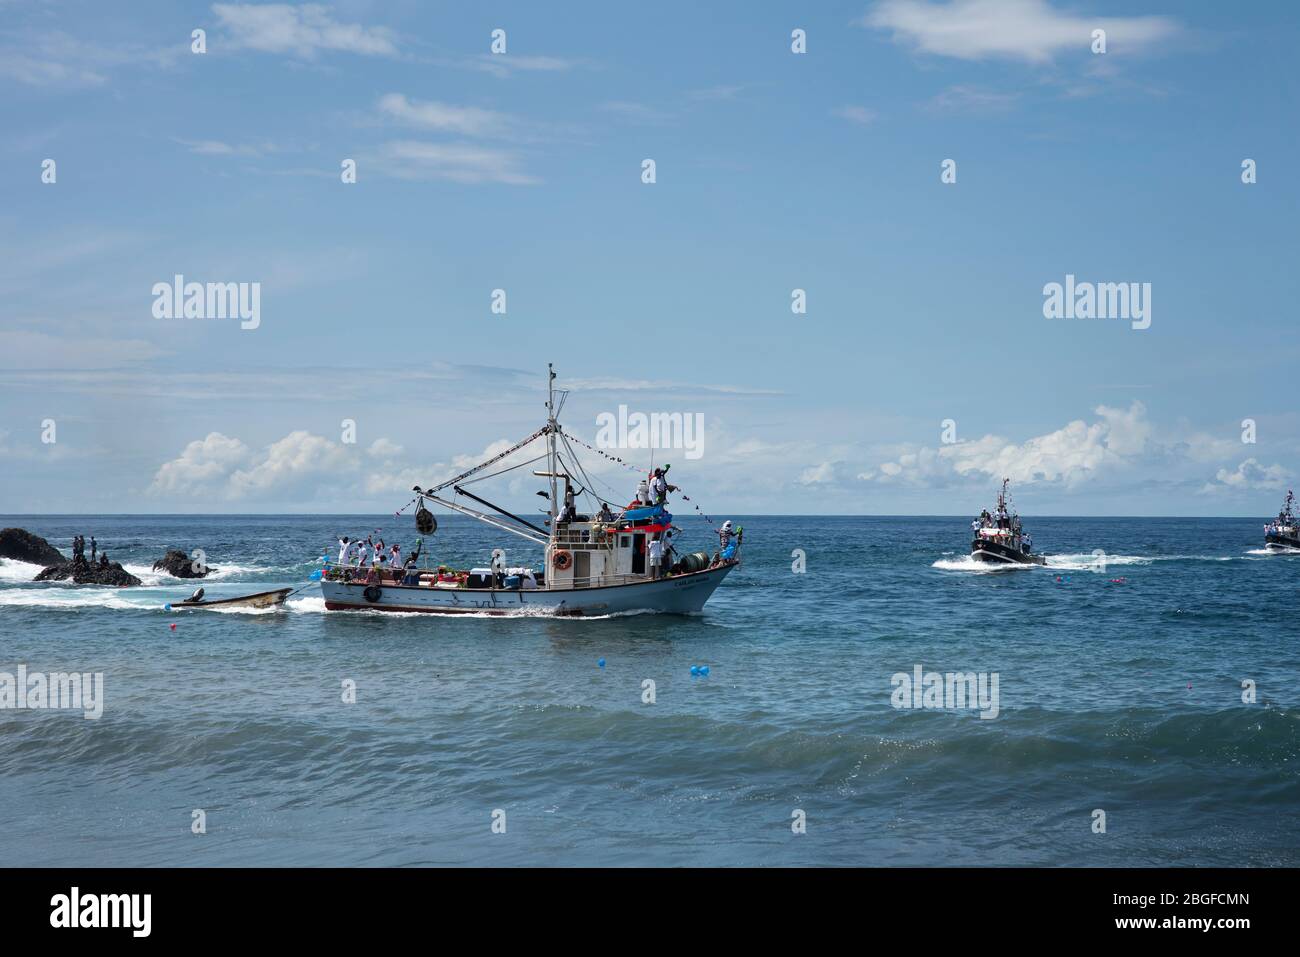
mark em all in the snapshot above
pixel 1029 31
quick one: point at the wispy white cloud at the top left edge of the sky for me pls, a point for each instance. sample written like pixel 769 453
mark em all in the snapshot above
pixel 302 32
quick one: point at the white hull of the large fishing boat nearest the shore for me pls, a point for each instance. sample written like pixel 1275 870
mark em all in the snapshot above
pixel 682 595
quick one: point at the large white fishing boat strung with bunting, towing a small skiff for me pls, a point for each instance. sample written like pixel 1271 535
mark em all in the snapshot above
pixel 592 564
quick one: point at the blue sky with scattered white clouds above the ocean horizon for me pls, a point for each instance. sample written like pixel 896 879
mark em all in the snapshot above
pixel 775 171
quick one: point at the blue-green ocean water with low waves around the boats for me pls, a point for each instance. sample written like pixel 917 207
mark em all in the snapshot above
pixel 1120 690
